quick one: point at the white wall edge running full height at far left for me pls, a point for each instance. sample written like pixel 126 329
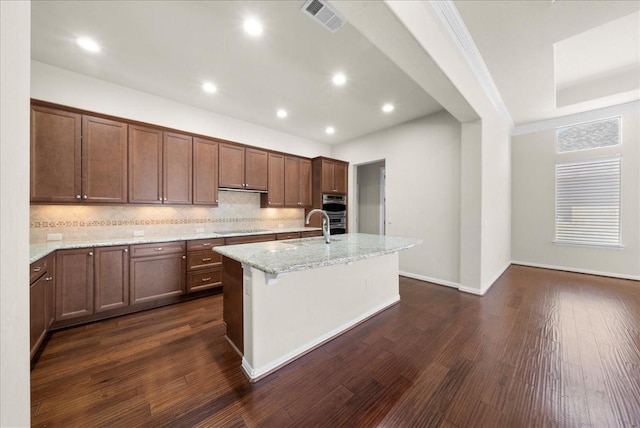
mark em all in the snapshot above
pixel 15 33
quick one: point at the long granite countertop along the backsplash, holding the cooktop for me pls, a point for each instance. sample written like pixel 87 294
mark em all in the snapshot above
pixel 37 251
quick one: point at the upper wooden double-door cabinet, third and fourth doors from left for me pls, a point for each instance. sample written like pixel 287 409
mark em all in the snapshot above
pixel 160 165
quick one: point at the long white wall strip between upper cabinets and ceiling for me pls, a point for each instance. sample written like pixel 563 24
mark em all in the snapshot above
pixel 64 87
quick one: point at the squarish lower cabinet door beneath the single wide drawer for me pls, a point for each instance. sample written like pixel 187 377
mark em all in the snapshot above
pixel 152 278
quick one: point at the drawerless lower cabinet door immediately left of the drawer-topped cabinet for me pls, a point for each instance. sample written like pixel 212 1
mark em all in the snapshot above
pixel 111 277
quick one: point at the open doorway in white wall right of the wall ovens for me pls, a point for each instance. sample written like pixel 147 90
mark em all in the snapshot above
pixel 371 215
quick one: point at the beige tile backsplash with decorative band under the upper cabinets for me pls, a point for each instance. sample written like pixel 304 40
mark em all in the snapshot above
pixel 236 210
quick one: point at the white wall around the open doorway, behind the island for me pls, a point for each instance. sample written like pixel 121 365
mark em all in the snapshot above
pixel 422 159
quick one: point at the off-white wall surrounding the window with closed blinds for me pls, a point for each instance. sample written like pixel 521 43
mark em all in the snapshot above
pixel 533 205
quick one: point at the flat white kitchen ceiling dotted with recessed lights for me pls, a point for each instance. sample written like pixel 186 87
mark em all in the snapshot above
pixel 169 48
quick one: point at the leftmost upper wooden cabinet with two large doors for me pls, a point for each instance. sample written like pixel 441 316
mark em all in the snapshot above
pixel 77 158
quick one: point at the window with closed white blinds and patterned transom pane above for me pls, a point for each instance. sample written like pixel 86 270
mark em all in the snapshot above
pixel 588 186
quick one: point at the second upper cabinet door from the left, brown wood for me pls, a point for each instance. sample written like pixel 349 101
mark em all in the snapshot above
pixel 104 160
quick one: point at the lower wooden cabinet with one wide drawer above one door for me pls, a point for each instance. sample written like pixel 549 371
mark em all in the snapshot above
pixel 157 271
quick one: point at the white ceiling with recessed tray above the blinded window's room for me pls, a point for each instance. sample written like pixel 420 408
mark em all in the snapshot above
pixel 516 40
